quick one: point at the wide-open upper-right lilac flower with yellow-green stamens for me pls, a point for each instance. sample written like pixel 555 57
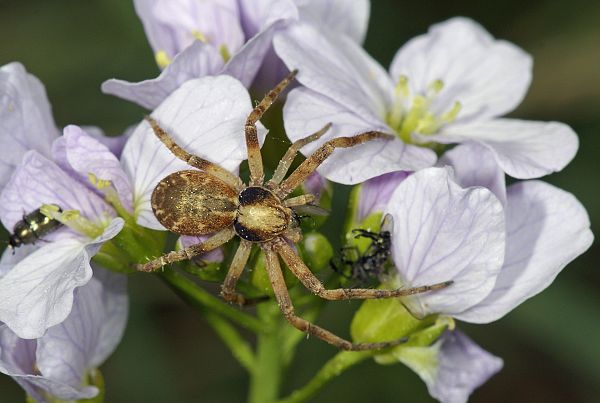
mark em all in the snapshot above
pixel 447 86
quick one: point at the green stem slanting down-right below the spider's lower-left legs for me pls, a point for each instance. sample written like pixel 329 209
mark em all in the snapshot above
pixel 198 297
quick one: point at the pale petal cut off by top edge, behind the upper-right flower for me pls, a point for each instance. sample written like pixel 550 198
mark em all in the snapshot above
pixel 338 16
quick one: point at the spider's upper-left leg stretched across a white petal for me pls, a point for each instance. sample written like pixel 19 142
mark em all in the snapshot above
pixel 193 160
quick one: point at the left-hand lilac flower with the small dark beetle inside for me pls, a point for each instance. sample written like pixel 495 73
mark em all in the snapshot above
pixel 38 290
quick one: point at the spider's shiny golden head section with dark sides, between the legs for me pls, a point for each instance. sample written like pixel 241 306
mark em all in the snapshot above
pixel 261 215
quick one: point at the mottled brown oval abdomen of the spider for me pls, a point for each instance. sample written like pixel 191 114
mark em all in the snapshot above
pixel 194 203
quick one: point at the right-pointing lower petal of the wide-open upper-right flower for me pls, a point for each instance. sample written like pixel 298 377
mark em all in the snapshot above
pixel 524 149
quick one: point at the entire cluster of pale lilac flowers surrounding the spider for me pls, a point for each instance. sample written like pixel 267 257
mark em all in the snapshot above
pixel 64 305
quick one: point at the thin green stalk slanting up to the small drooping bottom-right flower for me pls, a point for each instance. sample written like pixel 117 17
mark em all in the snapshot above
pixel 332 369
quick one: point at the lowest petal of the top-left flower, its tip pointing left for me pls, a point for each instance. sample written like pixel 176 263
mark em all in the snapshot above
pixel 197 60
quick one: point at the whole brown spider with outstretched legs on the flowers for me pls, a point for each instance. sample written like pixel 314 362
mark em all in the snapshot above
pixel 211 200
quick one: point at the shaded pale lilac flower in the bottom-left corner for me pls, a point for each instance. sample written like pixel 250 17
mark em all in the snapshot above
pixel 55 365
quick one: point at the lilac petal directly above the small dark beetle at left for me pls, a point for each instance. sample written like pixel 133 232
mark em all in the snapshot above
pixel 39 181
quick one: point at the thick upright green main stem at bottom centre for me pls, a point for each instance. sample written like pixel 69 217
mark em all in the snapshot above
pixel 265 380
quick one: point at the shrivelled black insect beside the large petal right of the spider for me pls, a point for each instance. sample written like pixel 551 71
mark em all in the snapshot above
pixel 369 267
